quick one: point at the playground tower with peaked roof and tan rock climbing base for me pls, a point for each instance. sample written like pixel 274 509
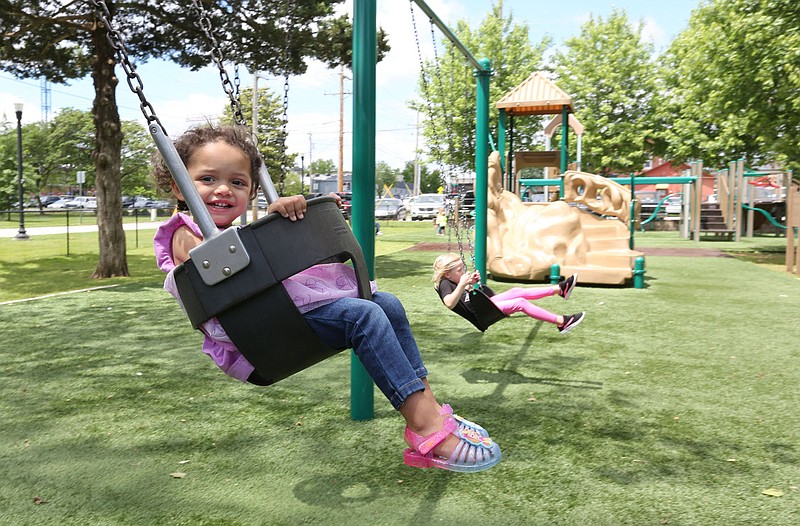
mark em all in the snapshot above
pixel 586 230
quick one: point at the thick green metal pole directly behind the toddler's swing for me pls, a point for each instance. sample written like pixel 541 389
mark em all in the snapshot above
pixel 362 392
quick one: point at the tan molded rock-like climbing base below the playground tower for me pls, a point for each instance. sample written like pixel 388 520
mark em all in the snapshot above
pixel 586 232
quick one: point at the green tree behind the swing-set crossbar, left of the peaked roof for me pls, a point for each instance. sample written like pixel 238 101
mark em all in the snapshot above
pixel 447 85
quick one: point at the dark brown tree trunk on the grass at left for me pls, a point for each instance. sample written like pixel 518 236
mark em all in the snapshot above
pixel 108 130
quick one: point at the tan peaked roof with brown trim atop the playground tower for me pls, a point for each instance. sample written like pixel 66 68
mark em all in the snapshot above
pixel 535 96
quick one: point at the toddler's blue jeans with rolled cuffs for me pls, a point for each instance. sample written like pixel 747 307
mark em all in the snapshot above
pixel 379 334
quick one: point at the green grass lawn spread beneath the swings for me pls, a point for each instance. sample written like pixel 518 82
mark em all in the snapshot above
pixel 673 404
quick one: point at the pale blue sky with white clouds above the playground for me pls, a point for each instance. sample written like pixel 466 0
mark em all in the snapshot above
pixel 183 98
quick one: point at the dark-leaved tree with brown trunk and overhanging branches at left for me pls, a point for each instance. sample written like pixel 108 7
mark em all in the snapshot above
pixel 61 41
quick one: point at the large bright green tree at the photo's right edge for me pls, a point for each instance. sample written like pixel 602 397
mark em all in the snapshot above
pixel 734 81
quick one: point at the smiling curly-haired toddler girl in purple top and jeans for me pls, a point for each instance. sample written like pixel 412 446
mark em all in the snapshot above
pixel 222 162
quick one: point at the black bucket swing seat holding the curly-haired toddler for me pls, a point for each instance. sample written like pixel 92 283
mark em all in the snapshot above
pixel 254 308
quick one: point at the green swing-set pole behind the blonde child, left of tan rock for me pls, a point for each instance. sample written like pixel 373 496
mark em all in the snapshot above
pixel 481 164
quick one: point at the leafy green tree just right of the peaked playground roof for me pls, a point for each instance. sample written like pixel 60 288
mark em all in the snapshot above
pixel 609 72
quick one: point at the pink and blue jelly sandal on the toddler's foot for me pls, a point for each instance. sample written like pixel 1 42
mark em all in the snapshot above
pixel 474 452
